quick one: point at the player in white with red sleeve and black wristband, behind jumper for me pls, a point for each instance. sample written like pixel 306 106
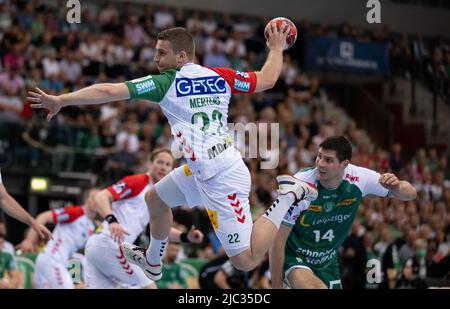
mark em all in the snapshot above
pixel 126 217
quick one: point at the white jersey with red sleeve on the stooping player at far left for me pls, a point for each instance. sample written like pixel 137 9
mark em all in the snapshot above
pixel 73 228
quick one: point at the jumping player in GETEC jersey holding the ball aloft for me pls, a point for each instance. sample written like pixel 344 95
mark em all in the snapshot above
pixel 195 101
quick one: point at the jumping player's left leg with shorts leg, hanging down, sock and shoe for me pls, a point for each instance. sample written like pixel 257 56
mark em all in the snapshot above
pixel 175 189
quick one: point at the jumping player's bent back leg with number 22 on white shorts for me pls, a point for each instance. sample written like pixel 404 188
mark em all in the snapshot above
pixel 228 195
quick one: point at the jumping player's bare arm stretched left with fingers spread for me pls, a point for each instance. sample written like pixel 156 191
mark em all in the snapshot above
pixel 95 94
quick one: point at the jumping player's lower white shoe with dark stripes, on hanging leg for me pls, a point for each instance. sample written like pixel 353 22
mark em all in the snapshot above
pixel 137 256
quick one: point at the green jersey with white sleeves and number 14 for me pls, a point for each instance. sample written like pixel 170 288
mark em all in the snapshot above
pixel 321 229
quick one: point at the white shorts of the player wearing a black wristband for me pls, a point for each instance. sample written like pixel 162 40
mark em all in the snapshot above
pixel 106 267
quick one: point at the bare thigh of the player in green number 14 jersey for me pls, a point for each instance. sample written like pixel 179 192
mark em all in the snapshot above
pixel 302 277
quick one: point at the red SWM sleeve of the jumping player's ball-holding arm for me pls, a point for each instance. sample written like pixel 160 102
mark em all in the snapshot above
pixel 239 82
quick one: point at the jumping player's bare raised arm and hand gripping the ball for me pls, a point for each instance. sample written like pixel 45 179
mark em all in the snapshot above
pixel 271 70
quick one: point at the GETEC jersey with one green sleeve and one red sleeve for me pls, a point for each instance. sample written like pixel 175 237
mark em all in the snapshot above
pixel 195 101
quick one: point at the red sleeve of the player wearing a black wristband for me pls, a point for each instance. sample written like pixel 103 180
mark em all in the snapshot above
pixel 129 186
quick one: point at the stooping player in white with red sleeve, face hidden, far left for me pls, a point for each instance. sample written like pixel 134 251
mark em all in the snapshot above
pixel 73 227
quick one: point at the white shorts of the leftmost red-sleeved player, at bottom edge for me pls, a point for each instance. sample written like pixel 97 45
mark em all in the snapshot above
pixel 50 274
